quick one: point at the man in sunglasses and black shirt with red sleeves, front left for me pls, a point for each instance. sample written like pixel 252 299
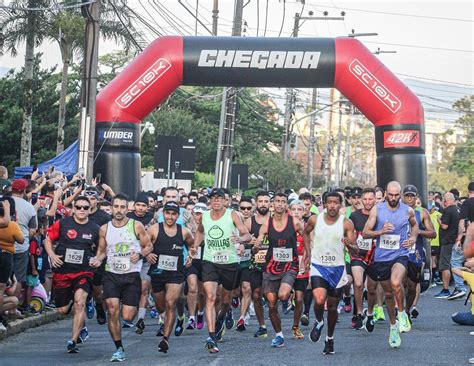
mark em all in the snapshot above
pixel 74 237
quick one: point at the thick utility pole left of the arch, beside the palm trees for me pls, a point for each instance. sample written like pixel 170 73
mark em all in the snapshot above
pixel 89 92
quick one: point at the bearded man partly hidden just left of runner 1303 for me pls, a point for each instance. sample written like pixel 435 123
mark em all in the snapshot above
pixel 257 262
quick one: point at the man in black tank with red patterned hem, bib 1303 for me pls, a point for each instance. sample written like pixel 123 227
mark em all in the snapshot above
pixel 282 260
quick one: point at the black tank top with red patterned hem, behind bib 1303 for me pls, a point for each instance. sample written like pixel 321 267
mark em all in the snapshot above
pixel 285 239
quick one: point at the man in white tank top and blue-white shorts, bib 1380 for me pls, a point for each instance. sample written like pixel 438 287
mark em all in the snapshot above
pixel 332 234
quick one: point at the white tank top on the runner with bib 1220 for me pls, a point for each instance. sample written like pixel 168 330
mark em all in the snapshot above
pixel 121 243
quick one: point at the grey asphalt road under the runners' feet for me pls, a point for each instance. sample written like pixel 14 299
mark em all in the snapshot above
pixel 433 340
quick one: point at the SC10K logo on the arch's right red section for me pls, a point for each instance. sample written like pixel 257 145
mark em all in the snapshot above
pixel 375 86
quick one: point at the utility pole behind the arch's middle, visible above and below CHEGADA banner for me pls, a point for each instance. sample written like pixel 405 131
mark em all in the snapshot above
pixel 225 145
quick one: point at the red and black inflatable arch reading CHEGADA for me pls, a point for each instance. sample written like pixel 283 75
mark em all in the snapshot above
pixel 342 63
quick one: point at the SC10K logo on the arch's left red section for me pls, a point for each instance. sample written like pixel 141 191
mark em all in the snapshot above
pixel 139 86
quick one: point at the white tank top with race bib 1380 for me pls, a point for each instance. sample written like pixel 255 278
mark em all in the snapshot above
pixel 328 248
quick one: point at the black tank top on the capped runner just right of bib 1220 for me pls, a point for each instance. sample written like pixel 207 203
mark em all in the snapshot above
pixel 170 251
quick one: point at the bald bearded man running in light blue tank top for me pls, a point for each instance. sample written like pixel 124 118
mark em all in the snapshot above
pixel 394 226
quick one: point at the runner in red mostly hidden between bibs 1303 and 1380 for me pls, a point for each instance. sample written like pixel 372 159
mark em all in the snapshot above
pixel 297 208
